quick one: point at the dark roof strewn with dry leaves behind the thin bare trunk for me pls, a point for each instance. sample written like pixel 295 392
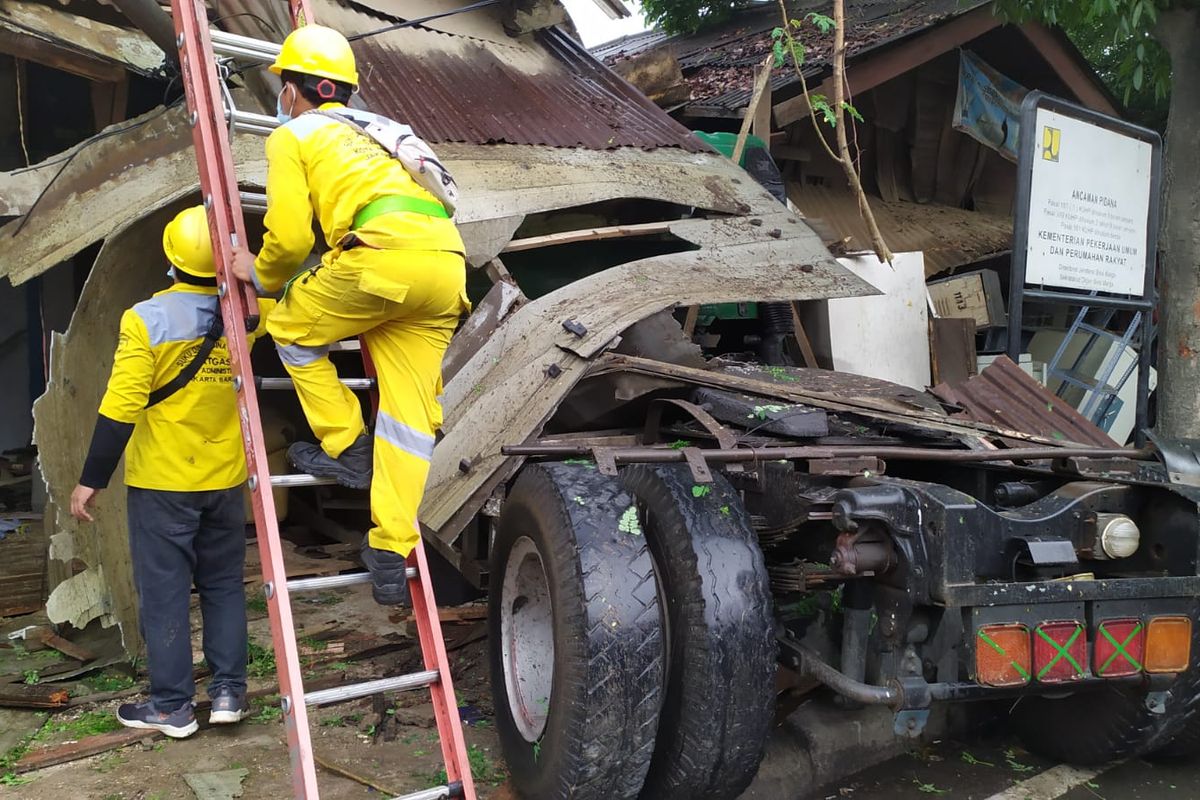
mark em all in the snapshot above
pixel 719 64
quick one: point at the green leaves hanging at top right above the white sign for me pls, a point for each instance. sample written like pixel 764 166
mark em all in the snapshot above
pixel 1117 38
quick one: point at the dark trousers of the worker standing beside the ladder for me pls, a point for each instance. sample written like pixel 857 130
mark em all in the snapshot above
pixel 177 538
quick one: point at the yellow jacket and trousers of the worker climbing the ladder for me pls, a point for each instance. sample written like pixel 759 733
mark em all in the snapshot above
pixel 404 291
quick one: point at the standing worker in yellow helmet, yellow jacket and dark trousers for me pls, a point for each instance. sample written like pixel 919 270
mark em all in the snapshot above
pixel 172 411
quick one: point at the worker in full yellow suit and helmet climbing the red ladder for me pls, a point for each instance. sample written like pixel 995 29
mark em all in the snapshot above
pixel 395 274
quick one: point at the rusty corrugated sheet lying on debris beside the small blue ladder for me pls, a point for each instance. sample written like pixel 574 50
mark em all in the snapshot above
pixel 1005 395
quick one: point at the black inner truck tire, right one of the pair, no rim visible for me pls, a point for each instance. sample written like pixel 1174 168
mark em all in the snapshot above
pixel 722 651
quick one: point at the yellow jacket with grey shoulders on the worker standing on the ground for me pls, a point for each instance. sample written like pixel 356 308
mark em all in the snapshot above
pixel 190 442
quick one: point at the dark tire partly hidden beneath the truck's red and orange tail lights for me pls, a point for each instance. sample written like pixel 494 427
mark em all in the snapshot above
pixel 1093 729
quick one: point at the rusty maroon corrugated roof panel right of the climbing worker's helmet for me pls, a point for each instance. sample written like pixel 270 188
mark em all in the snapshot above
pixel 479 93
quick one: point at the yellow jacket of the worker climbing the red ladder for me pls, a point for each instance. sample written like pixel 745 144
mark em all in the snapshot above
pixel 315 163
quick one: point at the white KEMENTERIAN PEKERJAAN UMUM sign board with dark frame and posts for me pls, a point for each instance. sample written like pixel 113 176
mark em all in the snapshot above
pixel 1087 225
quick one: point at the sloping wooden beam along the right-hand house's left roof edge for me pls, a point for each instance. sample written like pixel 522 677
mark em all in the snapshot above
pixel 869 71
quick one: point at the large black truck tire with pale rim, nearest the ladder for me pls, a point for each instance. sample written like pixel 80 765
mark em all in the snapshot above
pixel 598 591
